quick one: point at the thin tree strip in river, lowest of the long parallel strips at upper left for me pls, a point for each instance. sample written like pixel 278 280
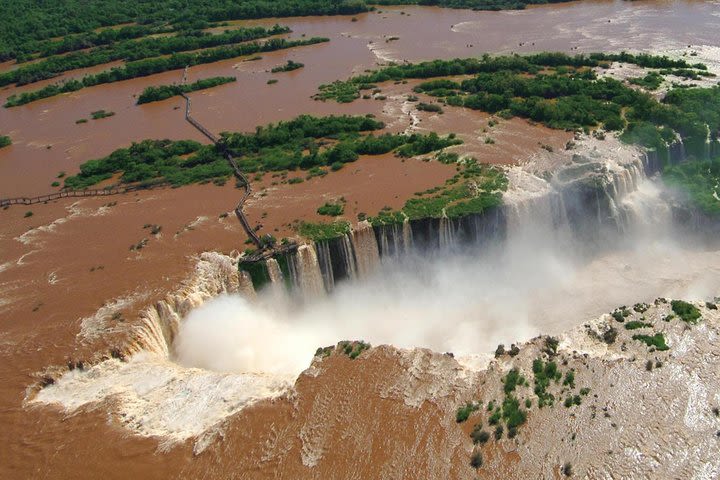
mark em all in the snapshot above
pixel 152 66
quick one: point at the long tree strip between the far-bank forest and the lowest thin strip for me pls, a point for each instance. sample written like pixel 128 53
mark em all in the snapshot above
pixel 133 50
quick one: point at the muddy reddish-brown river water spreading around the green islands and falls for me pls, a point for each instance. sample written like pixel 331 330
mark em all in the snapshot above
pixel 48 283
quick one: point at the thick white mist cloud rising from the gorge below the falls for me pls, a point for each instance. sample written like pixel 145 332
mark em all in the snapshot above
pixel 540 281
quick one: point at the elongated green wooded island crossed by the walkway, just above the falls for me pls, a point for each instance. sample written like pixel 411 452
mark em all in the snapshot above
pixel 306 143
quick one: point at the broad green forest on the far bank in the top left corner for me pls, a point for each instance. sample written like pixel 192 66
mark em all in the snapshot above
pixel 24 22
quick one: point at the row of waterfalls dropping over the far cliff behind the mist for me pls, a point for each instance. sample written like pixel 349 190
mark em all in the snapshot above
pixel 584 199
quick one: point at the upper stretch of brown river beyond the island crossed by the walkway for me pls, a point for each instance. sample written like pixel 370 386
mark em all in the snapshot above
pixel 29 166
